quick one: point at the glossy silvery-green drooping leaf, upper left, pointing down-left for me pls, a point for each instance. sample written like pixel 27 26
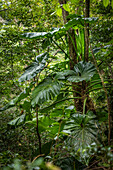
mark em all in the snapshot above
pixel 35 68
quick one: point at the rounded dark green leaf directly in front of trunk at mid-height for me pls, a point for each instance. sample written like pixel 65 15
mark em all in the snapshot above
pixel 83 71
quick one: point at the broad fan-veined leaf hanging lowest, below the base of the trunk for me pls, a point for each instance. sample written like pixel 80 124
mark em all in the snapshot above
pixel 82 130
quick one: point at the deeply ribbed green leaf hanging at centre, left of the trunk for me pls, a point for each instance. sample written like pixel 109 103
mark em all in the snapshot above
pixel 46 90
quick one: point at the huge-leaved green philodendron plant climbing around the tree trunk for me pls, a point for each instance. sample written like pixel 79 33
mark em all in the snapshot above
pixel 49 87
